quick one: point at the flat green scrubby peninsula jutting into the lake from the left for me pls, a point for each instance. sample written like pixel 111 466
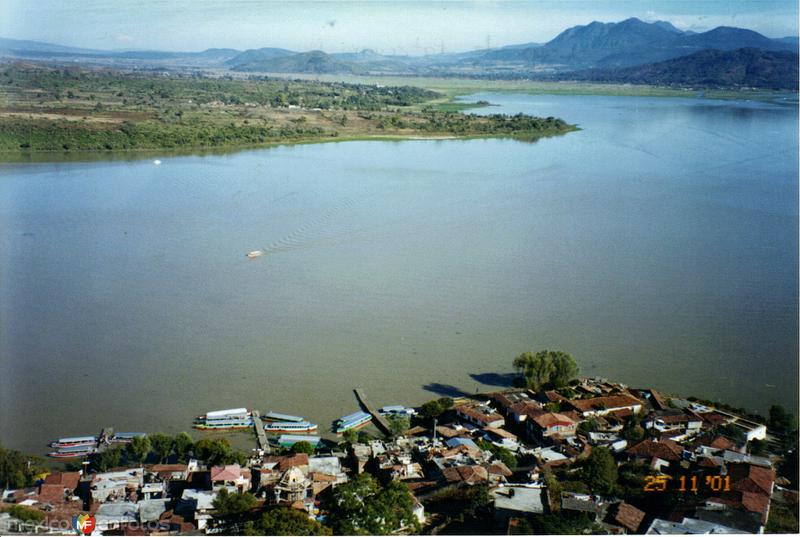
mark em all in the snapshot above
pixel 79 109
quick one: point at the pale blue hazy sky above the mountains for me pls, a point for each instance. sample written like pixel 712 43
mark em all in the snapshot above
pixel 405 27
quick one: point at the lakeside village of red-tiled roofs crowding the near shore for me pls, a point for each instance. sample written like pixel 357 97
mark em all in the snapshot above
pixel 592 456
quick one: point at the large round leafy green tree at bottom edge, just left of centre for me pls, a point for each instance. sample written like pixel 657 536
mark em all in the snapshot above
pixel 362 507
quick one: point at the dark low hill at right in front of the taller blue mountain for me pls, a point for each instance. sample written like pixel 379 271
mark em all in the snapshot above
pixel 745 67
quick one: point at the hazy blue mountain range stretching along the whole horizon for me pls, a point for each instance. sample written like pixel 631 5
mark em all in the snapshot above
pixel 596 51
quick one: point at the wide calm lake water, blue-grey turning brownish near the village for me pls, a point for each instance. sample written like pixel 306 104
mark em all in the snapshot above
pixel 658 245
